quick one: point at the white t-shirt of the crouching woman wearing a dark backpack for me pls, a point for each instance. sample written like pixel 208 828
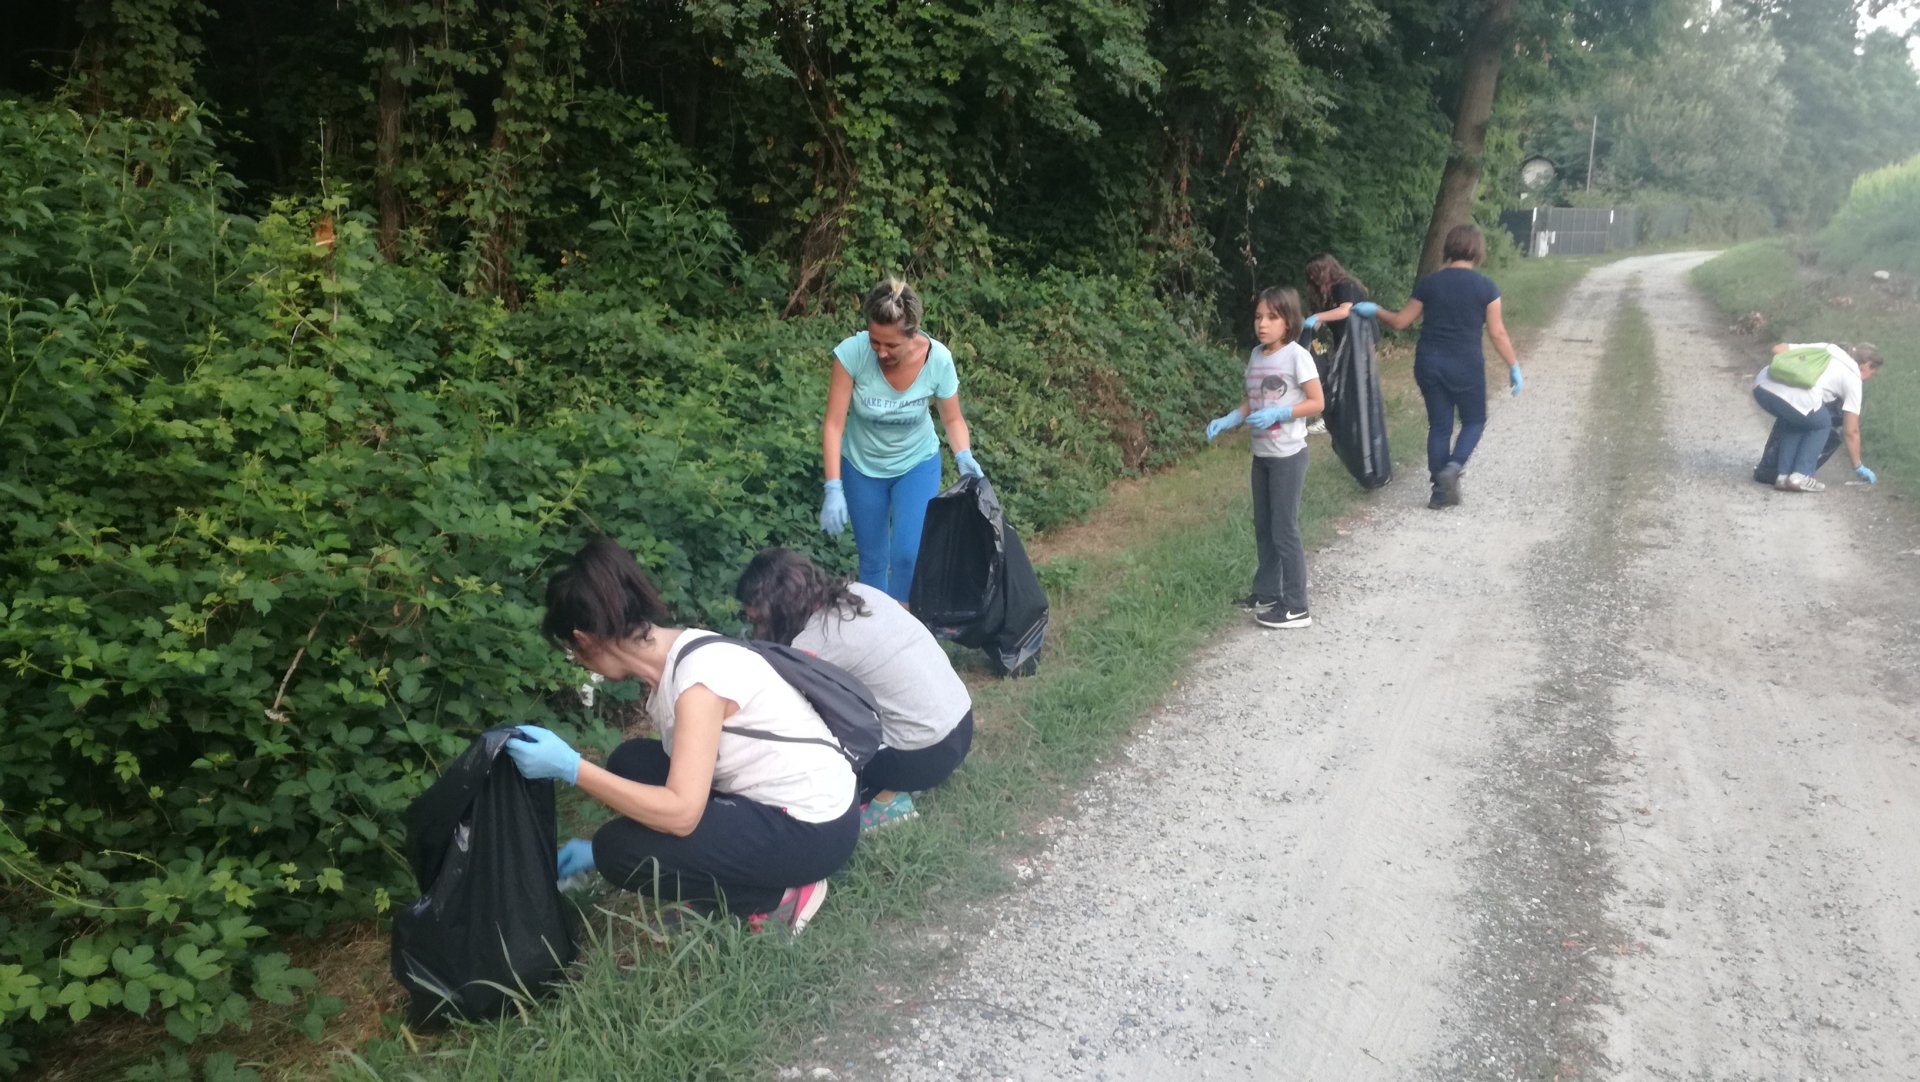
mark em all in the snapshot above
pixel 809 782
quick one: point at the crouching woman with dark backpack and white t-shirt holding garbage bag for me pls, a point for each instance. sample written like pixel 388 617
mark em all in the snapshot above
pixel 744 801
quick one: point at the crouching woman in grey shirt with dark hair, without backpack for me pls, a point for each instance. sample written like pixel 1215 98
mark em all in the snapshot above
pixel 926 715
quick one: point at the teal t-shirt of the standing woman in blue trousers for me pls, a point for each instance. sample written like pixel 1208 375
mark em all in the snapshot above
pixel 888 431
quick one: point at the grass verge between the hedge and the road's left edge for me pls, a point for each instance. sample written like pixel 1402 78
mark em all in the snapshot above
pixel 715 1002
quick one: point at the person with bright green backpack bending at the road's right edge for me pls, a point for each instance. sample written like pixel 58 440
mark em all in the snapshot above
pixel 1802 388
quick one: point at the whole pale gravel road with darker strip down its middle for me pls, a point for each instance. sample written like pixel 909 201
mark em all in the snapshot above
pixel 1610 774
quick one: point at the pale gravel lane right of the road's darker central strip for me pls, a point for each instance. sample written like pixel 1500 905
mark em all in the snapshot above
pixel 1771 793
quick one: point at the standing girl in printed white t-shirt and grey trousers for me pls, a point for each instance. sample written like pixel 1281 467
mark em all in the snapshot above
pixel 1282 392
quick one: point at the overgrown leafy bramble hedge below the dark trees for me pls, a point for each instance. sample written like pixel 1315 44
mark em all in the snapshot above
pixel 277 517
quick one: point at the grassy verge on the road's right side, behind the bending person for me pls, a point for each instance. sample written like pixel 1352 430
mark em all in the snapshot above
pixel 1800 306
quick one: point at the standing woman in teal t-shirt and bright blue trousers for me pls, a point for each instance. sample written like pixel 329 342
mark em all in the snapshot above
pixel 882 458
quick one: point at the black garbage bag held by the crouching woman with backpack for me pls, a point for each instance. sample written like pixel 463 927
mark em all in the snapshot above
pixel 491 922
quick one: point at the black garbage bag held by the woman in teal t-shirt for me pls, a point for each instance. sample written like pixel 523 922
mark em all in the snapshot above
pixel 974 584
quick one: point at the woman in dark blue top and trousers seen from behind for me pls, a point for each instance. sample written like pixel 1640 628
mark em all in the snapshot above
pixel 1449 364
